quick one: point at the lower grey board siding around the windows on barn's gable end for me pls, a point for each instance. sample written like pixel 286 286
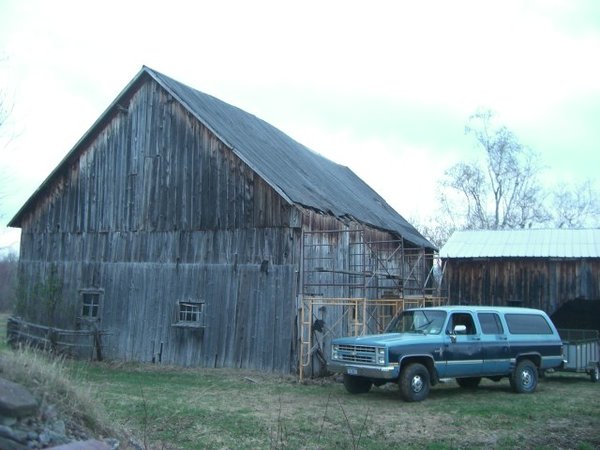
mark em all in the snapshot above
pixel 249 315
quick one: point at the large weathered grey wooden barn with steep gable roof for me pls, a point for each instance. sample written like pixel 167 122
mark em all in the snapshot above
pixel 183 230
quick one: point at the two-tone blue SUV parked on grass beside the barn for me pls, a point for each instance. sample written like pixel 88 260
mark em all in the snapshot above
pixel 421 346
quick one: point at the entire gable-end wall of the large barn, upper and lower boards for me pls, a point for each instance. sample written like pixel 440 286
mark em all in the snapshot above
pixel 154 210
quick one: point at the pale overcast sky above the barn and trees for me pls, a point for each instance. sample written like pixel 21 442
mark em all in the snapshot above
pixel 384 87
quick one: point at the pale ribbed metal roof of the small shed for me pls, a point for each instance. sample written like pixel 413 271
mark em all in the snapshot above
pixel 531 243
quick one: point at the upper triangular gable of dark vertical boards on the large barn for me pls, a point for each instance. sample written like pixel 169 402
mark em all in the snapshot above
pixel 156 168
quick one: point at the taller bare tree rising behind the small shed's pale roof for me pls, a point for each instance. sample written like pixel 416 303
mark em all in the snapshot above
pixel 503 190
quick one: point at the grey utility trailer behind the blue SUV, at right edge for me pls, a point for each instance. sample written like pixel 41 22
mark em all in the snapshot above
pixel 581 351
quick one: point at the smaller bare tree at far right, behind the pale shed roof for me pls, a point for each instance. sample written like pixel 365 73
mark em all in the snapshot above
pixel 576 206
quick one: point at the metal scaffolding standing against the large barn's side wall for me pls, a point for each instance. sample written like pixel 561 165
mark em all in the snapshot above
pixel 353 284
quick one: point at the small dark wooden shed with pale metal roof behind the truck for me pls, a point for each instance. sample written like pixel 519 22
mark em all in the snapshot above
pixel 534 268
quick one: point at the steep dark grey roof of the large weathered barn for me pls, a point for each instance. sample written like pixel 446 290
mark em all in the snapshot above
pixel 297 173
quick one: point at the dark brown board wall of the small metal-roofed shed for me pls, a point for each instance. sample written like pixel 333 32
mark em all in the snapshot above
pixel 532 282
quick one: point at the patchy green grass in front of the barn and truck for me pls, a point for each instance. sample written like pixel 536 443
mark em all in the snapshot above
pixel 169 407
